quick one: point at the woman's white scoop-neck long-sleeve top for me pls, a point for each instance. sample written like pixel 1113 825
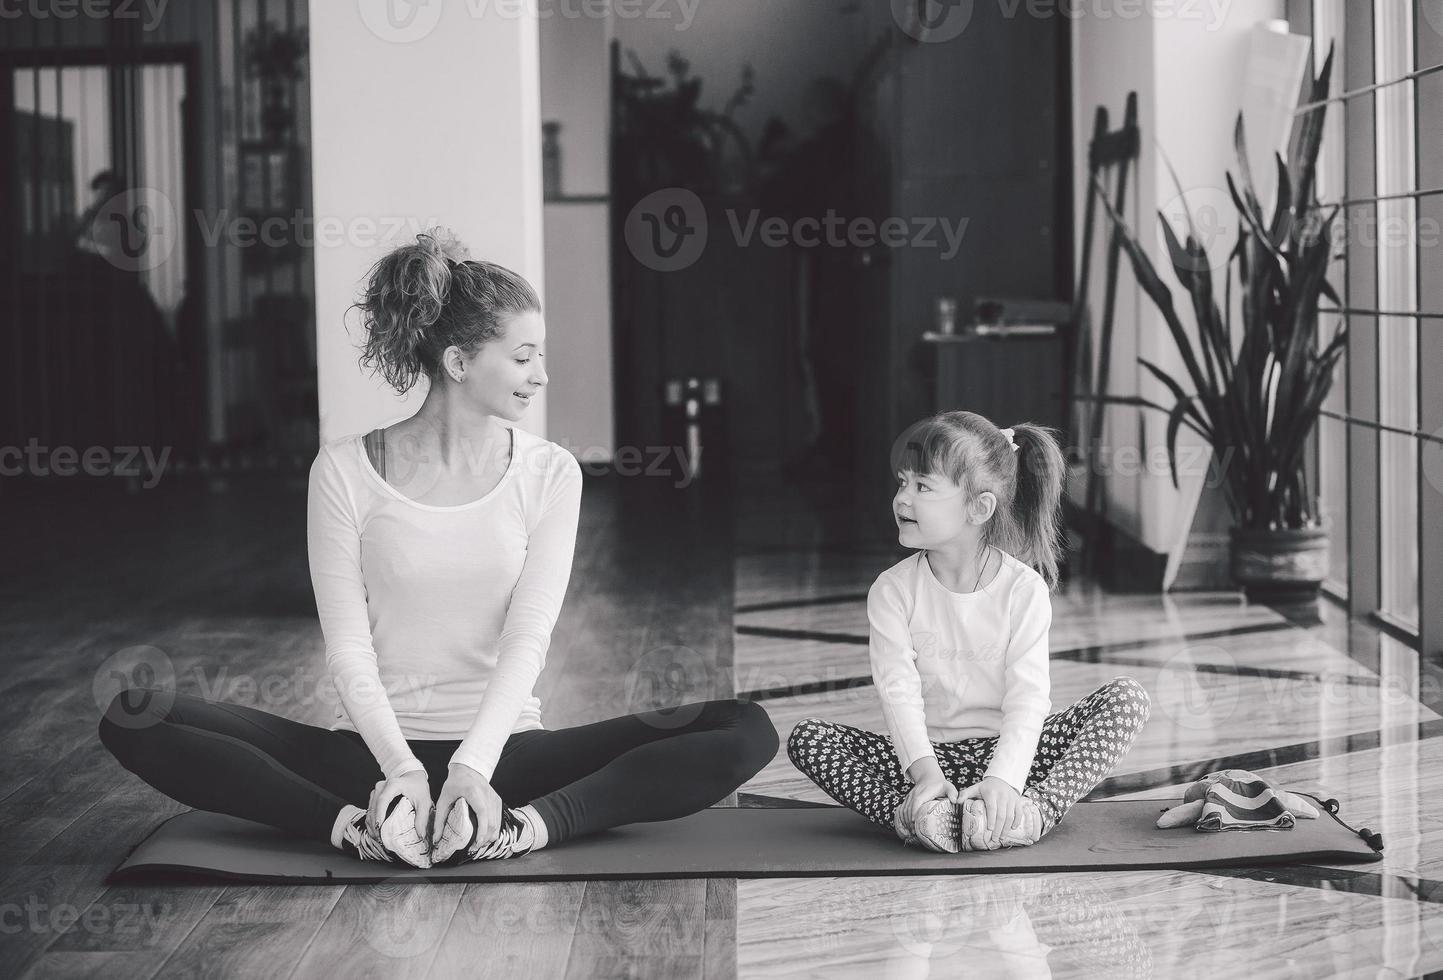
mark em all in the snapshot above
pixel 438 620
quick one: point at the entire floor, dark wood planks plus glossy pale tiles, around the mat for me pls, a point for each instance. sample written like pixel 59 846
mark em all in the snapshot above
pixel 676 598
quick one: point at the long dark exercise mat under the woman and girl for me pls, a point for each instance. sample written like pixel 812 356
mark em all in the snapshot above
pixel 727 842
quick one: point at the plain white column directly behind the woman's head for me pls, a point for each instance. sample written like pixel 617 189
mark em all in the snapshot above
pixel 421 113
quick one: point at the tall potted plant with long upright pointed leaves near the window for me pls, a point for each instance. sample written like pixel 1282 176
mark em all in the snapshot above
pixel 1256 396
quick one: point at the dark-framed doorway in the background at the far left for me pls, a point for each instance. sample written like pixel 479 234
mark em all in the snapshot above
pixel 102 282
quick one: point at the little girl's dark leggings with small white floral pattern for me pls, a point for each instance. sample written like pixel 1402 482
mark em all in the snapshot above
pixel 1076 753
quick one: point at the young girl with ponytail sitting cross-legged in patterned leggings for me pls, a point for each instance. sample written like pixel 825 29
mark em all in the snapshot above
pixel 960 655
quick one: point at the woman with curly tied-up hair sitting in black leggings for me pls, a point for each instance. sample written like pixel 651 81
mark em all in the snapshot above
pixel 441 549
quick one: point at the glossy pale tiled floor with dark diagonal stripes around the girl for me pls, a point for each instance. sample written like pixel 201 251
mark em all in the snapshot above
pixel 1328 709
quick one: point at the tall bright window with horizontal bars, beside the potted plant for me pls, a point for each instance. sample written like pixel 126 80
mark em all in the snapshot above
pixel 1387 76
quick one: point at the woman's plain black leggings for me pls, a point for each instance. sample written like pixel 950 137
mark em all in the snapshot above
pixel 246 763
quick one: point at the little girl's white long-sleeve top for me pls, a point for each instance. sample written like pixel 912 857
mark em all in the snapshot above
pixel 952 666
